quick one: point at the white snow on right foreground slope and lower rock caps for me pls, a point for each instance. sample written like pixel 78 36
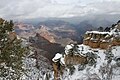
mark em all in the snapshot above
pixel 106 67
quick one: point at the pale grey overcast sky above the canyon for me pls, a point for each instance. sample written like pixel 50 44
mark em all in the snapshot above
pixel 27 9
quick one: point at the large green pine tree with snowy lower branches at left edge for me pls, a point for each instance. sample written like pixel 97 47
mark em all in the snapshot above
pixel 11 52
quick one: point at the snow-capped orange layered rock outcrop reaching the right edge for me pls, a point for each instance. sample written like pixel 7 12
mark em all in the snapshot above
pixel 103 40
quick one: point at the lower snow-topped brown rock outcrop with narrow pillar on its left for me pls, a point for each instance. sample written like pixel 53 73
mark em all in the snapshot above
pixel 73 55
